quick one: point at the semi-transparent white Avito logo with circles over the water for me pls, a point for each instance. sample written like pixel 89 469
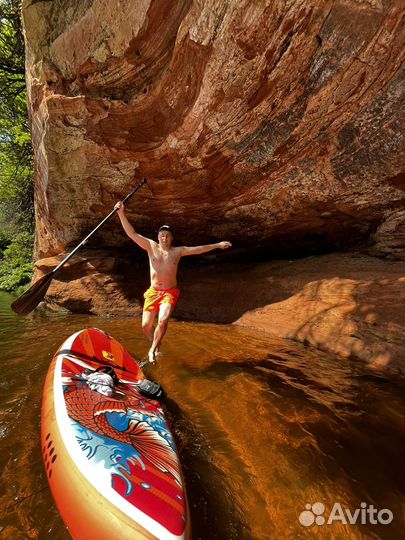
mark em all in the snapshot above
pixel 314 514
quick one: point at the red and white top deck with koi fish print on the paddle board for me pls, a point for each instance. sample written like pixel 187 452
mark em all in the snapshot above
pixel 122 444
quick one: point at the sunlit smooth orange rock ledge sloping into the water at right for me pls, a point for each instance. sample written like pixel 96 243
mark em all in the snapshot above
pixel 355 319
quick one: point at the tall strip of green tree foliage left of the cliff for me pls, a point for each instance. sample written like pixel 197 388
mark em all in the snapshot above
pixel 16 161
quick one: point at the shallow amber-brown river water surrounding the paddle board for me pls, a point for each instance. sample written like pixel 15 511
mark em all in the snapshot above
pixel 264 427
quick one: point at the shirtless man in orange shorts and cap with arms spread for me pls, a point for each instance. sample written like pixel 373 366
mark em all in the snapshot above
pixel 162 295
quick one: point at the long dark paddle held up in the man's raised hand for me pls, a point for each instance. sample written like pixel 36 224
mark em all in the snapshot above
pixel 29 300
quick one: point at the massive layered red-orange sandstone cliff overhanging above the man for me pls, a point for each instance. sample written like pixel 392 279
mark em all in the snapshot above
pixel 276 125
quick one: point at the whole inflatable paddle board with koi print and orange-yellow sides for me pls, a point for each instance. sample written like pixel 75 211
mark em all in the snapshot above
pixel 110 461
